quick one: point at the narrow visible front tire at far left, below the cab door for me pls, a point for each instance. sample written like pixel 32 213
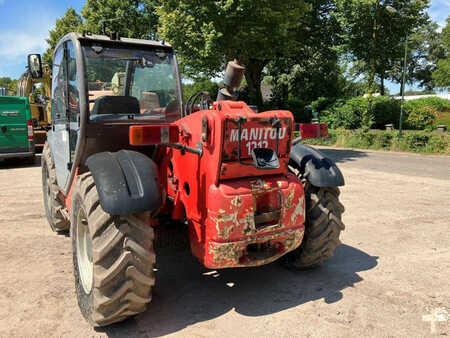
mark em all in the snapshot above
pixel 53 205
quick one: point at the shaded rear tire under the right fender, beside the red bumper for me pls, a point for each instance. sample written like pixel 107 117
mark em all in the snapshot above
pixel 322 229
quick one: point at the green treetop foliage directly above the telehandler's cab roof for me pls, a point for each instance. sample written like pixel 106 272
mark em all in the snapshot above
pixel 130 18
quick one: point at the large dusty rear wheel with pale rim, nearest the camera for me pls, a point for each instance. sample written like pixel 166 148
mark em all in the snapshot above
pixel 113 258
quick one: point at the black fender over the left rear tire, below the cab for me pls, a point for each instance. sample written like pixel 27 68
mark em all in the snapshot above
pixel 126 181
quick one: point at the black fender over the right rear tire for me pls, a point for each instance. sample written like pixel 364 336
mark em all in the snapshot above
pixel 318 169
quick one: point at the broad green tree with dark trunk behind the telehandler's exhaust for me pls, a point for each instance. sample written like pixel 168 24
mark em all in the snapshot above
pixel 209 33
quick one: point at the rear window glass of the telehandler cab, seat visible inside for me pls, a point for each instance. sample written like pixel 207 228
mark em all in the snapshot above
pixel 130 84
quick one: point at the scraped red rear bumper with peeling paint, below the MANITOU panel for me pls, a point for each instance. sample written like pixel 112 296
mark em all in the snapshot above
pixel 235 232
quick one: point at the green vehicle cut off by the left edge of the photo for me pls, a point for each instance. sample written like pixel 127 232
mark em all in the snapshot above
pixel 15 125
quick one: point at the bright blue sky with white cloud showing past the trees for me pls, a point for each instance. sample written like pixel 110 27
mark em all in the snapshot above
pixel 24 25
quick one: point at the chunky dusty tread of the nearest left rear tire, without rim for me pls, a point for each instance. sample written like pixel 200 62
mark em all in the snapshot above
pixel 123 260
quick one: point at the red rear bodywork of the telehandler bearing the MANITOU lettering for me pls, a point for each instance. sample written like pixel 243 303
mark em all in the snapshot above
pixel 220 196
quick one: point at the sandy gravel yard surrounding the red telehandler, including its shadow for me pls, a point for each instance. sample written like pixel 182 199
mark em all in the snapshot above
pixel 391 277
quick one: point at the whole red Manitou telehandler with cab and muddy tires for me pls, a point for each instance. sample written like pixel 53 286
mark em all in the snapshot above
pixel 124 152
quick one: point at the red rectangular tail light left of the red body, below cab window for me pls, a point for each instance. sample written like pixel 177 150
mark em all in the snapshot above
pixel 148 135
